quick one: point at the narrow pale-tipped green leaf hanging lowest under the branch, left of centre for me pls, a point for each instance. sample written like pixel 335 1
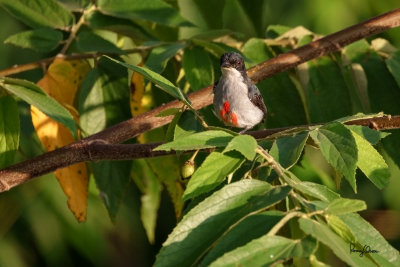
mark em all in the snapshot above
pixel 151 190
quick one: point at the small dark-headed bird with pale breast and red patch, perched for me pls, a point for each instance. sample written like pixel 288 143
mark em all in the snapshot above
pixel 237 100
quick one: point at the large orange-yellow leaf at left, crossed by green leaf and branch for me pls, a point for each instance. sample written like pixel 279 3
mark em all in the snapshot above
pixel 62 81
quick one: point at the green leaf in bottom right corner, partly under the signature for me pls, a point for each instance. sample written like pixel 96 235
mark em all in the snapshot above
pixel 368 236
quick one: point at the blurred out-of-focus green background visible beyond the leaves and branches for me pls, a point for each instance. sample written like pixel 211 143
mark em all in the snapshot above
pixel 36 227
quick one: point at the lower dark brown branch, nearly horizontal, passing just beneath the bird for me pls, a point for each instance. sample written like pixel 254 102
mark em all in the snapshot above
pixel 99 150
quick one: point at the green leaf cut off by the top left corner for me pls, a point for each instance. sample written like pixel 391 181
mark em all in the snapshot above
pixel 36 14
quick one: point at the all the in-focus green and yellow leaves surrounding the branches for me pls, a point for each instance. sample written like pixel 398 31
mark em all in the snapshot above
pixel 249 202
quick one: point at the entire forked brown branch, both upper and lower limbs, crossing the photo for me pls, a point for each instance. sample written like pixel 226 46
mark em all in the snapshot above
pixel 92 147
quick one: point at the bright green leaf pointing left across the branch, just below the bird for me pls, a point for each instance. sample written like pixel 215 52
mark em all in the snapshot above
pixel 206 139
